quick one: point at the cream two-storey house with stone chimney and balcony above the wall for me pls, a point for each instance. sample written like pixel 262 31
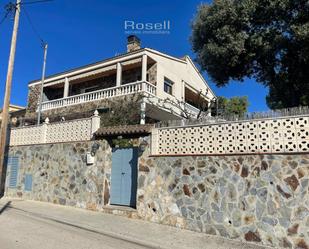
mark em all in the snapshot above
pixel 146 71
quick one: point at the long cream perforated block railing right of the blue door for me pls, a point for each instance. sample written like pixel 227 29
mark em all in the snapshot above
pixel 273 135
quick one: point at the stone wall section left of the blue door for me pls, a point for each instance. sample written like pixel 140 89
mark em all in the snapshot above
pixel 60 174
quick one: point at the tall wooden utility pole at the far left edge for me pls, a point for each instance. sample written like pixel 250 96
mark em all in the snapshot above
pixel 6 103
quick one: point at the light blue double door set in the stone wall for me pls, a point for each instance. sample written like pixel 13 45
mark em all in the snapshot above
pixel 124 176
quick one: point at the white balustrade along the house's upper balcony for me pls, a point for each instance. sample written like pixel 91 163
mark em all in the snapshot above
pixel 131 88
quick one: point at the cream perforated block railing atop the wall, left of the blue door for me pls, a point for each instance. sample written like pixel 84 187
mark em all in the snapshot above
pixel 68 131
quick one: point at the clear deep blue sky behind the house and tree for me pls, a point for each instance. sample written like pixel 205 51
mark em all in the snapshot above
pixel 85 31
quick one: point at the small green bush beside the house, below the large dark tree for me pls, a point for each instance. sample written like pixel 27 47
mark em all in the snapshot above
pixel 234 106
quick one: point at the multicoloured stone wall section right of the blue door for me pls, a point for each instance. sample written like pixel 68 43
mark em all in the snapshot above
pixel 256 198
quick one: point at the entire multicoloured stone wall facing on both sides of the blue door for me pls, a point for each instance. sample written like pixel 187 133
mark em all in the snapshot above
pixel 257 198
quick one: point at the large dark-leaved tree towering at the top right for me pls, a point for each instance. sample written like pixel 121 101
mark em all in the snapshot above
pixel 263 39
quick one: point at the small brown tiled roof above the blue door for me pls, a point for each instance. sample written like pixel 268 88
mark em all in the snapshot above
pixel 124 130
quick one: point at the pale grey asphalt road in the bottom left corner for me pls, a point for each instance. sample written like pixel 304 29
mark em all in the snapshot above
pixel 19 229
